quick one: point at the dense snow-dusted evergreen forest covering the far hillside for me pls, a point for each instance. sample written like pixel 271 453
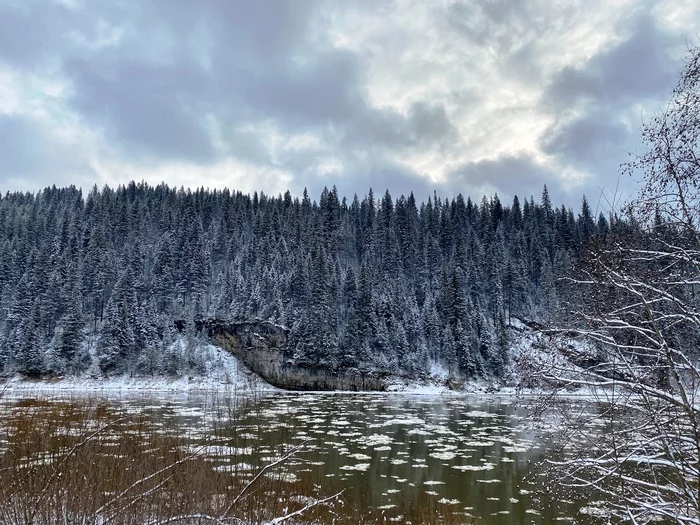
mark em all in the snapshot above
pixel 375 284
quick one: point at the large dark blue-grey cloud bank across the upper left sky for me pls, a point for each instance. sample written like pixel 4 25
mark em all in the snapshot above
pixel 266 62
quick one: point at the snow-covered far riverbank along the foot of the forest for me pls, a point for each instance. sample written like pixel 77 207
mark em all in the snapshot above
pixel 206 367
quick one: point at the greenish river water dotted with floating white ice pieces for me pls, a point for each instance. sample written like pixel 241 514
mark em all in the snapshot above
pixel 477 457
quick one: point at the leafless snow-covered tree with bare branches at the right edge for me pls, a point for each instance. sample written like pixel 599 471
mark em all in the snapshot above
pixel 641 316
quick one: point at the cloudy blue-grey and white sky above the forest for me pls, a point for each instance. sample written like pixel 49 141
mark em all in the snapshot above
pixel 472 97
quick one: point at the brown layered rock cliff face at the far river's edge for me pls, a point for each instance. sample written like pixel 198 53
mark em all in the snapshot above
pixel 263 348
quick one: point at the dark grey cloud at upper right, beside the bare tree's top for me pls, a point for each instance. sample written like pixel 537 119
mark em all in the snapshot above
pixel 606 92
